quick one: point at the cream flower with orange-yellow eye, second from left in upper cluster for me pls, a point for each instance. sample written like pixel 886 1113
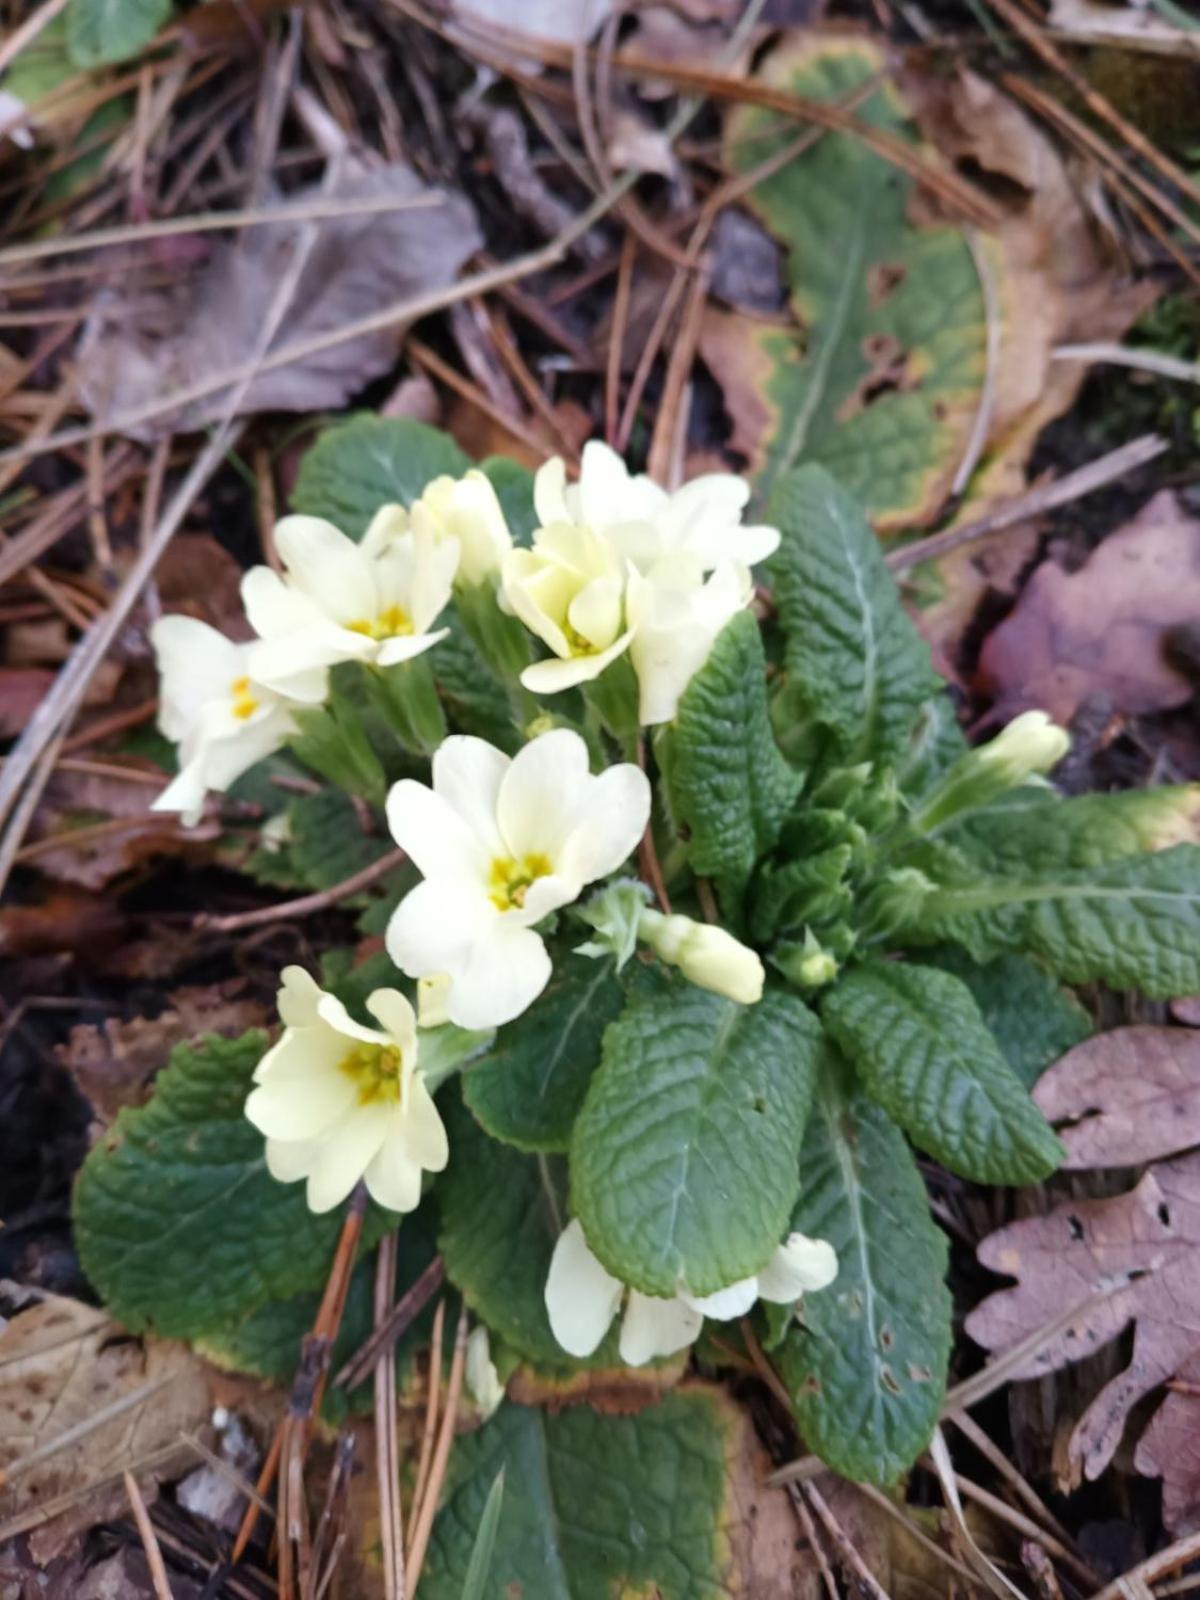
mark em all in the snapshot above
pixel 338 601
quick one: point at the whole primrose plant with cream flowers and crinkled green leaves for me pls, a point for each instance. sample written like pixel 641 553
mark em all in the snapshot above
pixel 710 921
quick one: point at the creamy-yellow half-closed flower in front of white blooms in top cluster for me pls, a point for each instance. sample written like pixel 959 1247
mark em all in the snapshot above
pixel 569 591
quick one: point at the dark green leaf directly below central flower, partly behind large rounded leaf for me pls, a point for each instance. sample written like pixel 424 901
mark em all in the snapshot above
pixel 530 1086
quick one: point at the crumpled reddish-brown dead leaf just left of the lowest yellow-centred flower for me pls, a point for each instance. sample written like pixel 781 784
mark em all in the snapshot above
pixel 114 1065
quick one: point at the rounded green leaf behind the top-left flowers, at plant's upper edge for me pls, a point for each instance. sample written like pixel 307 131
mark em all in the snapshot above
pixel 372 462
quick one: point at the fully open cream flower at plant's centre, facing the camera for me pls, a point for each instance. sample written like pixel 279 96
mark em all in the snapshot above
pixel 502 842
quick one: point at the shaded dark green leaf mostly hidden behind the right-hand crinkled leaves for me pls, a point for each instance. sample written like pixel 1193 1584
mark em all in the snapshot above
pixel 1033 1020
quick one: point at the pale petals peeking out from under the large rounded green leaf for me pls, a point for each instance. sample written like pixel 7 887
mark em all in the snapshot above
pixel 583 1297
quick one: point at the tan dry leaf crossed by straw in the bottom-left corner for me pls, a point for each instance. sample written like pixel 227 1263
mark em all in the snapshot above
pixel 70 1374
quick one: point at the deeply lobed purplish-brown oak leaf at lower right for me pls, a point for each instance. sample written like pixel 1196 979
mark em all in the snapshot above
pixel 1142 1252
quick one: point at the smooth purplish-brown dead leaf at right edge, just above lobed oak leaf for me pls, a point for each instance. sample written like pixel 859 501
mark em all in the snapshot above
pixel 1127 1097
